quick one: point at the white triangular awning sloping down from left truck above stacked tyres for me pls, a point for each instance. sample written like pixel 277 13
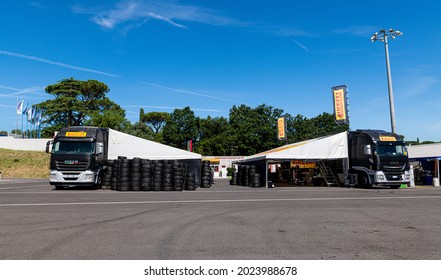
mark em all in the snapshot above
pixel 122 144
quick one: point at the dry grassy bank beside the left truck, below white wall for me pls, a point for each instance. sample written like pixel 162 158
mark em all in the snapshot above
pixel 24 164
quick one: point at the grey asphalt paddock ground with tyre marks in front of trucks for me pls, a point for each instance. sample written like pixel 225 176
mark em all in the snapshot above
pixel 222 222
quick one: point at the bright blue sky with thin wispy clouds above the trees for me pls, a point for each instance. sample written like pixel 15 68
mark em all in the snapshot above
pixel 211 55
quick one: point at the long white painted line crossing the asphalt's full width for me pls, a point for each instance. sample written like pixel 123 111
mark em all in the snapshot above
pixel 215 201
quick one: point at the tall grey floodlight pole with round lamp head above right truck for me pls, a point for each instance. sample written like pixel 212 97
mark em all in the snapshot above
pixel 383 35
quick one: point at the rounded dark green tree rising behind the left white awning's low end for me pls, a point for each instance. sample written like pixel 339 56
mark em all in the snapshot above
pixel 180 128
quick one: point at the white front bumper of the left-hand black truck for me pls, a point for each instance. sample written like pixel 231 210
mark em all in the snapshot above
pixel 70 178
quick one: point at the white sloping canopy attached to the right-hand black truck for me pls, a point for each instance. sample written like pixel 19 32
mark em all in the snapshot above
pixel 322 148
